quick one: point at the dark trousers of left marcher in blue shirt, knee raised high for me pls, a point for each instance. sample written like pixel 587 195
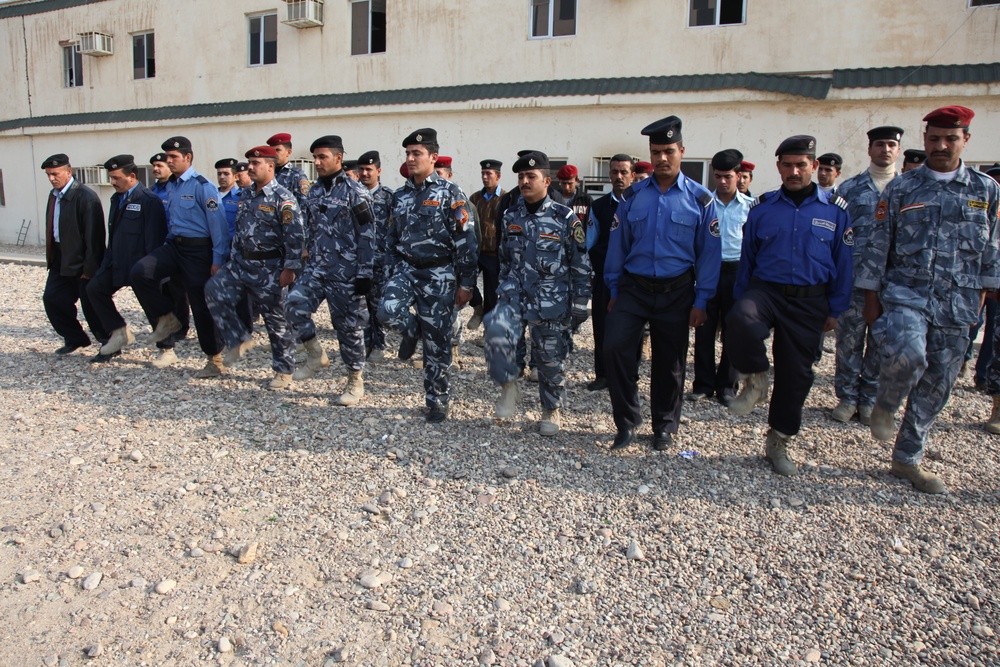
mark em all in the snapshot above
pixel 194 265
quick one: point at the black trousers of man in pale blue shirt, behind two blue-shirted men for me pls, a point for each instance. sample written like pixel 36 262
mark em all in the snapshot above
pixel 711 379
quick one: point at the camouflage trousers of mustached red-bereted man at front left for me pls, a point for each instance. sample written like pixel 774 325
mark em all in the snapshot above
pixel 227 289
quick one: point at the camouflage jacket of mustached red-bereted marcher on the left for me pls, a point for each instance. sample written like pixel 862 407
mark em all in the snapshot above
pixel 269 220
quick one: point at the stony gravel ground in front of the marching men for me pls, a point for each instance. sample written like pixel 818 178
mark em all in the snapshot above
pixel 153 519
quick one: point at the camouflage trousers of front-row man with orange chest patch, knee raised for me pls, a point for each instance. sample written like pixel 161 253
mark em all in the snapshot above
pixel 433 299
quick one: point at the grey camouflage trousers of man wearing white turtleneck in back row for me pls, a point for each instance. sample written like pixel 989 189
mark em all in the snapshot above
pixel 856 379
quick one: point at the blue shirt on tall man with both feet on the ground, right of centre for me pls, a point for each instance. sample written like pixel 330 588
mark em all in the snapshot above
pixel 663 234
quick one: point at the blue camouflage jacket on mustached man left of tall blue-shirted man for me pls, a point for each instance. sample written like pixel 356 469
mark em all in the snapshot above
pixel 544 265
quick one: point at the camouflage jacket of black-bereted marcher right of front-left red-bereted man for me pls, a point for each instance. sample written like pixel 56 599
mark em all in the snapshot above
pixel 340 229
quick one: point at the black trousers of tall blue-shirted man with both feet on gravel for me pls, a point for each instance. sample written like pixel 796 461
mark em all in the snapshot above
pixel 668 315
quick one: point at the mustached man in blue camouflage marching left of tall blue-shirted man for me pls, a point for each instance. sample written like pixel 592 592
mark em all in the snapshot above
pixel 545 283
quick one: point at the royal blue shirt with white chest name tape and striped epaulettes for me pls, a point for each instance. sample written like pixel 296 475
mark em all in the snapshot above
pixel 805 245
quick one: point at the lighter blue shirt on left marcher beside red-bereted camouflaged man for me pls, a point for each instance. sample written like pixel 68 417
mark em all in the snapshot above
pixel 195 212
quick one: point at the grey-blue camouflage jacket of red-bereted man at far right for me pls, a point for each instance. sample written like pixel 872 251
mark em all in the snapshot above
pixel 933 245
